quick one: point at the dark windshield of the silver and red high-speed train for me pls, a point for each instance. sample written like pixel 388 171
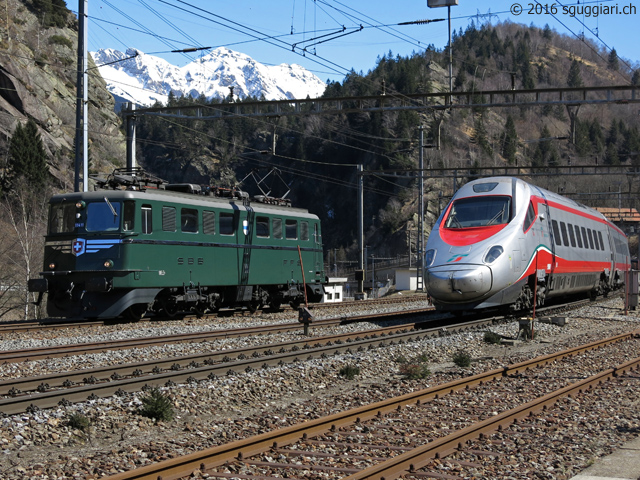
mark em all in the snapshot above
pixel 479 212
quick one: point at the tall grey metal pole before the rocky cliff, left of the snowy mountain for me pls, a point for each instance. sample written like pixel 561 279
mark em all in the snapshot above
pixel 82 102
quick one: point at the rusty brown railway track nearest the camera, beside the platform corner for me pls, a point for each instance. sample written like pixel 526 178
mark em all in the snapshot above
pixel 411 435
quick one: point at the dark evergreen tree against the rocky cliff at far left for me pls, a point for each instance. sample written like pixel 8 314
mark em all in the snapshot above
pixel 27 156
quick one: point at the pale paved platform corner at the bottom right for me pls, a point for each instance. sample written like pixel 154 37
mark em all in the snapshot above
pixel 623 464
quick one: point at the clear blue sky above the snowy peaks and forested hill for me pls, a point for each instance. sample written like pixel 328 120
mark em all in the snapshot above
pixel 278 31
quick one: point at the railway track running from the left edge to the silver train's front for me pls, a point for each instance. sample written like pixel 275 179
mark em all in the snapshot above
pixel 109 380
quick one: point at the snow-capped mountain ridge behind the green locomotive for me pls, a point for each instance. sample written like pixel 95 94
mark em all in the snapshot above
pixel 143 79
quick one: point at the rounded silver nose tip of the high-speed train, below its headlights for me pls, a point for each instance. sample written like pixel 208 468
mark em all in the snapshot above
pixel 461 283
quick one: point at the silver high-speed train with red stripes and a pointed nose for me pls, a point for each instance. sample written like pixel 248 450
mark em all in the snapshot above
pixel 504 242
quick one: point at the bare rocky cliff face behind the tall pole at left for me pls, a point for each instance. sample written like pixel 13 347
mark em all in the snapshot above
pixel 38 81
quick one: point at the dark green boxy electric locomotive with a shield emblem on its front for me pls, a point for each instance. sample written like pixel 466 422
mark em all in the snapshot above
pixel 144 247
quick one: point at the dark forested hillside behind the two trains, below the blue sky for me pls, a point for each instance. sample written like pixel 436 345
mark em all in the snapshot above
pixel 317 154
